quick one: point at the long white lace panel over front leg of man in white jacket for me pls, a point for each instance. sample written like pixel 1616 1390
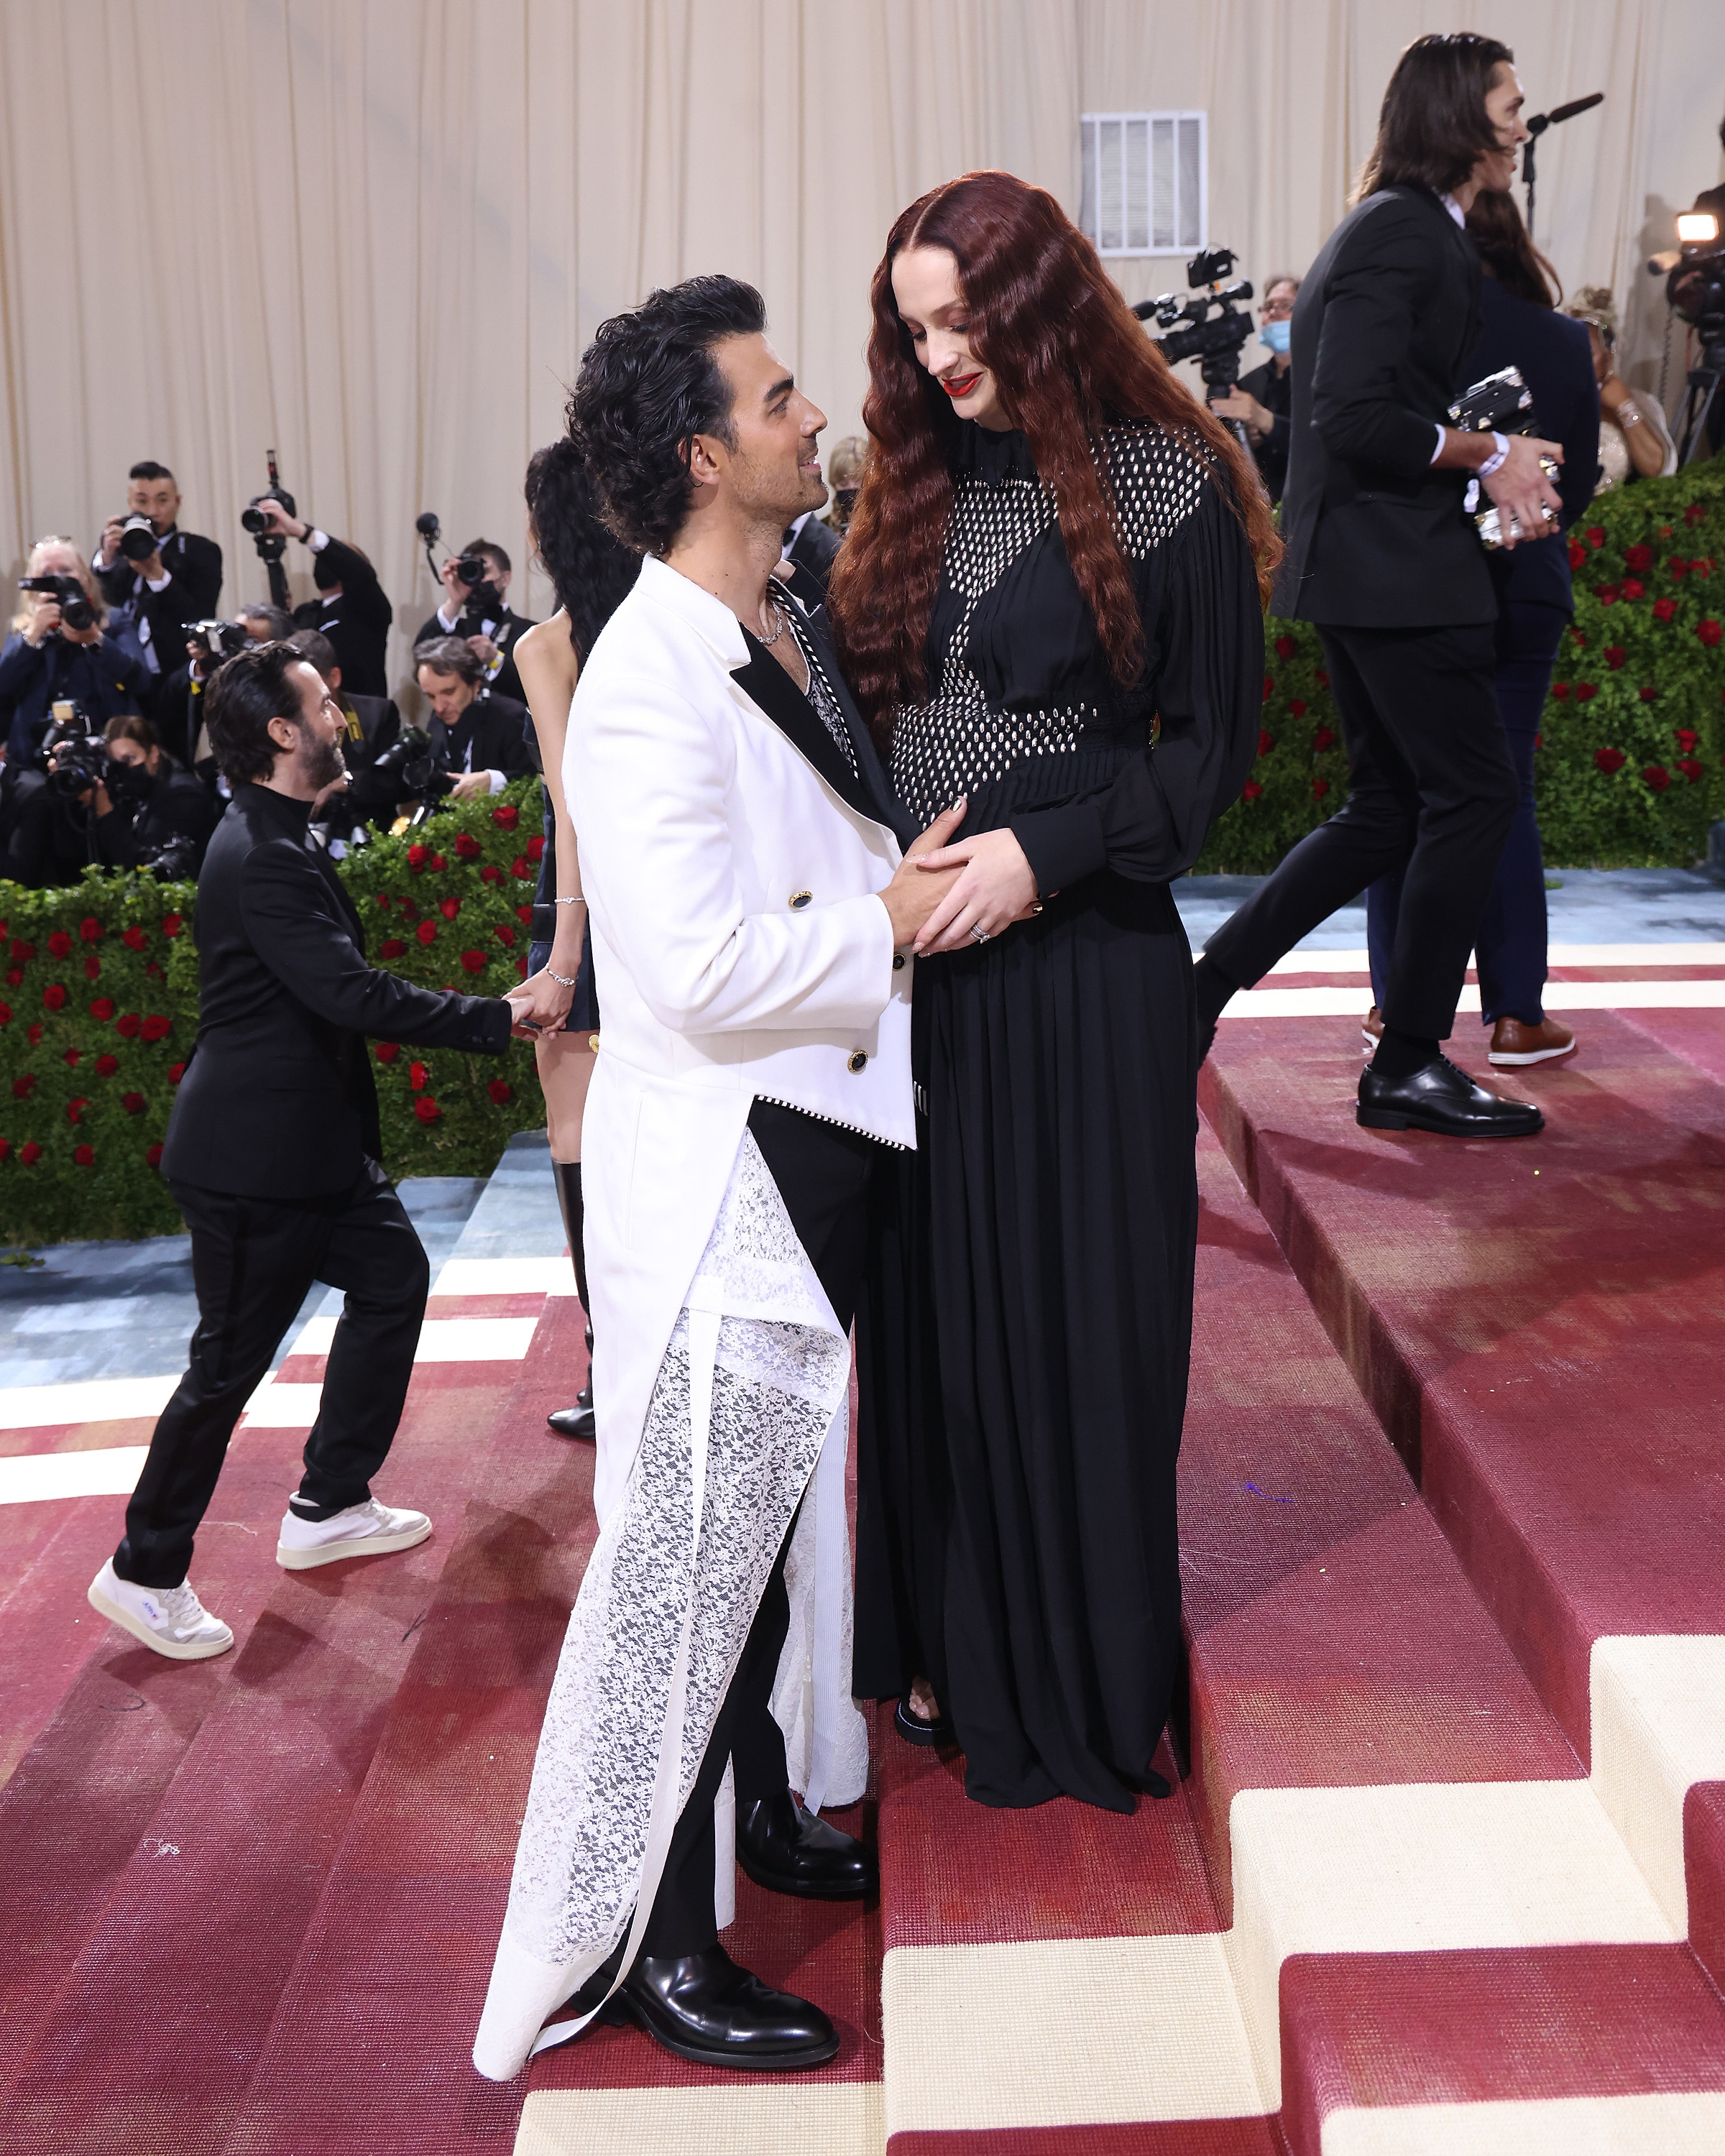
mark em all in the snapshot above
pixel 782 1374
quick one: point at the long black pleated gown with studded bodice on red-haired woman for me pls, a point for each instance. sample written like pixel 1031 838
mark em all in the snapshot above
pixel 1025 1333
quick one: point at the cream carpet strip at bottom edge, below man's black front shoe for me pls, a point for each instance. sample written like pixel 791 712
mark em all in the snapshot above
pixel 825 2118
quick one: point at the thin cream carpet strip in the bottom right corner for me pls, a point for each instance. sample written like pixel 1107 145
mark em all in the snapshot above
pixel 1551 2127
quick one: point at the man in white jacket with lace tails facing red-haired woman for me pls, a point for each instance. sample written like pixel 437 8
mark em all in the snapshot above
pixel 754 913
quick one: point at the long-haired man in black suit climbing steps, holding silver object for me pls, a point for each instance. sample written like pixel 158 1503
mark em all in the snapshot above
pixel 1385 559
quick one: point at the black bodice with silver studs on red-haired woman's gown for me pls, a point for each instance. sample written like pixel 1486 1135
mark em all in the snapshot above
pixel 1012 654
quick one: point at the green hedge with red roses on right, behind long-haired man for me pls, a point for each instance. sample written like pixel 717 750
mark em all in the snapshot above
pixel 1629 769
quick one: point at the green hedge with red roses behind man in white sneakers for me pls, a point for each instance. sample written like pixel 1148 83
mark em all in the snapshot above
pixel 100 1010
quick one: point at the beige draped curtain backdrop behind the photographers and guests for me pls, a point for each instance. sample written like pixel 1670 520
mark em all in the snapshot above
pixel 378 234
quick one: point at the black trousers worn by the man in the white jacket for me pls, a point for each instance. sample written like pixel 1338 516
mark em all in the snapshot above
pixel 823 1176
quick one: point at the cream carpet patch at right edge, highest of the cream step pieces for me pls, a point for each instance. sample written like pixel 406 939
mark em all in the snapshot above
pixel 1659 1726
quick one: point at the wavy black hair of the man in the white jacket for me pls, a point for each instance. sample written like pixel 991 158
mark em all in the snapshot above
pixel 646 389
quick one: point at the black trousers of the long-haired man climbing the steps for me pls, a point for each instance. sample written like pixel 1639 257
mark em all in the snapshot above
pixel 1433 792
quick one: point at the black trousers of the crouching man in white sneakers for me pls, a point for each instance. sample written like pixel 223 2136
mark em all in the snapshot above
pixel 253 1264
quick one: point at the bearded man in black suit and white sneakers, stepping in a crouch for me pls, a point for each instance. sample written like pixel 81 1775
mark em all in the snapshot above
pixel 273 1159
